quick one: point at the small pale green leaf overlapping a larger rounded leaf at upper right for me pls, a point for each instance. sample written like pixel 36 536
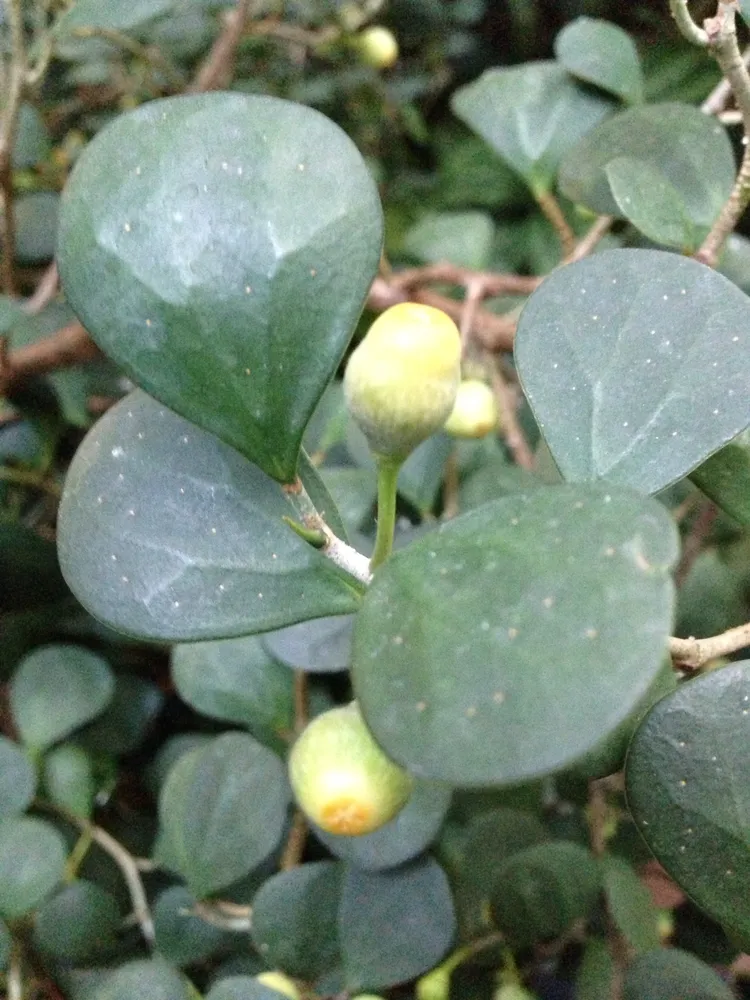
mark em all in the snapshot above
pixel 648 200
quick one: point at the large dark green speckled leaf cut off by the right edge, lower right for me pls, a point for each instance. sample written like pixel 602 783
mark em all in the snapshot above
pixel 687 789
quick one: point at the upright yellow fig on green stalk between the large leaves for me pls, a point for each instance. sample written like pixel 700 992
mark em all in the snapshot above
pixel 401 381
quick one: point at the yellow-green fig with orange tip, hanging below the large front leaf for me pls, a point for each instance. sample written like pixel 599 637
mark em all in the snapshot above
pixel 341 778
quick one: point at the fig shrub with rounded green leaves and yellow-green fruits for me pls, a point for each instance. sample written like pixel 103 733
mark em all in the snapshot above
pixel 451 736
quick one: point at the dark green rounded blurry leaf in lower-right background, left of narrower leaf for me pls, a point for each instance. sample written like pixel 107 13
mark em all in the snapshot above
pixel 539 892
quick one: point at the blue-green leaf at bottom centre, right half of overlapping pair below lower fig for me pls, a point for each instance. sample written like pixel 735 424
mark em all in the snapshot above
pixel 395 925
